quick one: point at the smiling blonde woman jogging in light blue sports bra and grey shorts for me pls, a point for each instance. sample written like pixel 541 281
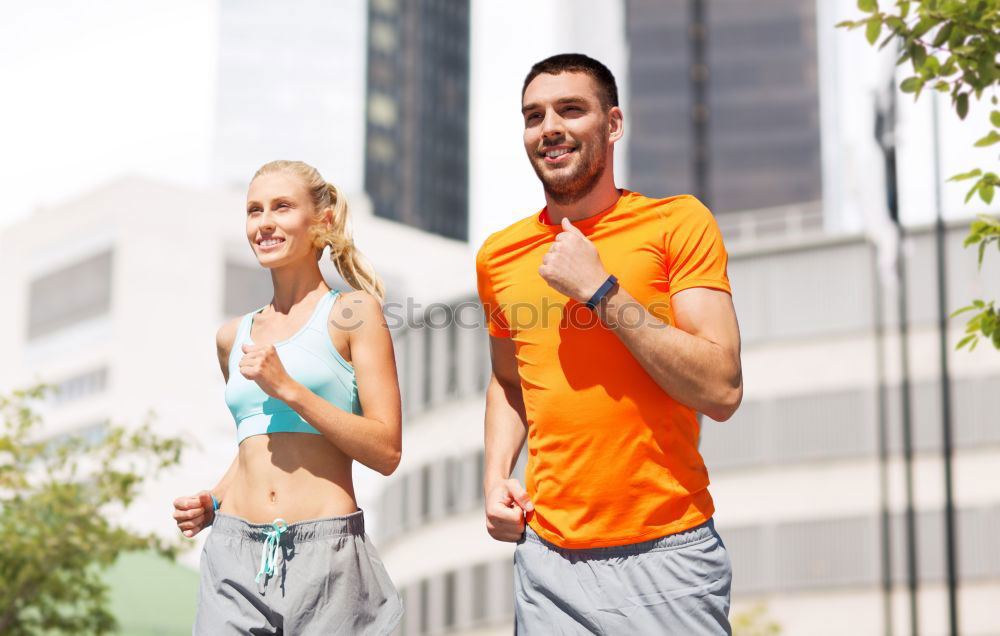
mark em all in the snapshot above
pixel 311 383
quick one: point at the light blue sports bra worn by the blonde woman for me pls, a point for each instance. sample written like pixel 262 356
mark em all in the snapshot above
pixel 310 358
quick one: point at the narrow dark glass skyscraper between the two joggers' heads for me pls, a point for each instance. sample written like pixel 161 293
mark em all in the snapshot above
pixel 417 114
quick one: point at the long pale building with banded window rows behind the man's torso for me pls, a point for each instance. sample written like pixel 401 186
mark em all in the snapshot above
pixel 795 473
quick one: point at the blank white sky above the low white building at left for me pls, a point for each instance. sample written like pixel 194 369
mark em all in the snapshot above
pixel 94 90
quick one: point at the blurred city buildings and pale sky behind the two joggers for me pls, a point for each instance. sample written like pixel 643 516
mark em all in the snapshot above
pixel 130 131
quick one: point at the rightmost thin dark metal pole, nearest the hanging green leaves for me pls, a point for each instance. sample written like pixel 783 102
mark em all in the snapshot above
pixel 951 565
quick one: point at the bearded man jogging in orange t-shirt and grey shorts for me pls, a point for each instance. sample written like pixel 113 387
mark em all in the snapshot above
pixel 611 325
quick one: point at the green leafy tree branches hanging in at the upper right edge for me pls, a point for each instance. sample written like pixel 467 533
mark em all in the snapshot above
pixel 952 47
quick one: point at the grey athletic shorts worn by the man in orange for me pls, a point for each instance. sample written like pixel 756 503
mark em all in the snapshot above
pixel 677 584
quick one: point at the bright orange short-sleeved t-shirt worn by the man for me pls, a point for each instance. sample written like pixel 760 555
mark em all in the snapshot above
pixel 612 459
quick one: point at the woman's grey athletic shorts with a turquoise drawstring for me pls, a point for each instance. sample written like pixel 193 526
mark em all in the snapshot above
pixel 326 579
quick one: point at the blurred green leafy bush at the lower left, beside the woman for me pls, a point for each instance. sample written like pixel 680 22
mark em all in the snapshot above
pixel 58 500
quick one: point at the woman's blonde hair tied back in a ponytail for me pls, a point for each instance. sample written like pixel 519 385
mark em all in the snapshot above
pixel 352 265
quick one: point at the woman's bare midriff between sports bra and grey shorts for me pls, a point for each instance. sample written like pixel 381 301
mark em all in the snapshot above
pixel 292 476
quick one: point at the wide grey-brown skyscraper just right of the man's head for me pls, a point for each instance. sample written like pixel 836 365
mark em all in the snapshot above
pixel 724 101
